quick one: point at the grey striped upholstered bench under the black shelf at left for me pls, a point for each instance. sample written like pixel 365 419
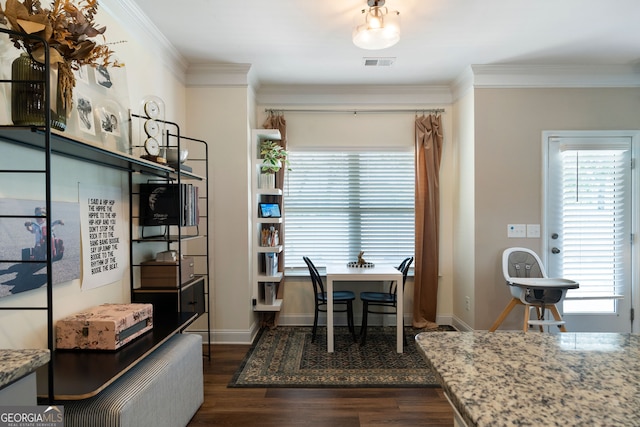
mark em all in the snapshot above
pixel 164 389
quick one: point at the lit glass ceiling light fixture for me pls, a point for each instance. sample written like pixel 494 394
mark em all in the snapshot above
pixel 380 29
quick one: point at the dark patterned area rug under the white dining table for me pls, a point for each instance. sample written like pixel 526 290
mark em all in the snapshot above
pixel 286 357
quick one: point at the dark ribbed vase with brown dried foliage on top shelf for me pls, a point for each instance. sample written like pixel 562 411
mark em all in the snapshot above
pixel 69 30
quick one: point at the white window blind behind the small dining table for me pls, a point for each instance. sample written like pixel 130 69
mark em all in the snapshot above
pixel 340 203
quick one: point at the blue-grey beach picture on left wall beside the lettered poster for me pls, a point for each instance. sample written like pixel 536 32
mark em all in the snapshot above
pixel 23 240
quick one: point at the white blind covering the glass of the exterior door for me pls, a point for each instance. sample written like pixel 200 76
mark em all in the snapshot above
pixel 595 190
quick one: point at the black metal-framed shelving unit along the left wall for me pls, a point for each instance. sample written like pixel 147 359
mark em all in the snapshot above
pixel 68 369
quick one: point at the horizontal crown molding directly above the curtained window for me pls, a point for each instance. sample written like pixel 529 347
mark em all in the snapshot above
pixel 353 95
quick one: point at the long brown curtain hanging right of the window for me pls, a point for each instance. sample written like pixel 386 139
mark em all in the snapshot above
pixel 428 139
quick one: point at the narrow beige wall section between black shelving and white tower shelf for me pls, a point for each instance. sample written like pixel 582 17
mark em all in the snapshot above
pixel 218 115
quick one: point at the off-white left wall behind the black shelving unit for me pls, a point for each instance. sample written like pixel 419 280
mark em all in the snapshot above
pixel 147 73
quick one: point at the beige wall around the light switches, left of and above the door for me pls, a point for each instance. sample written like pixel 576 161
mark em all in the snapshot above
pixel 508 164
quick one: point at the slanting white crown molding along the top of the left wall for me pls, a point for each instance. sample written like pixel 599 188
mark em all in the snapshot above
pixel 130 17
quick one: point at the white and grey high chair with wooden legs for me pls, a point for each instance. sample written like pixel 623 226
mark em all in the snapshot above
pixel 530 286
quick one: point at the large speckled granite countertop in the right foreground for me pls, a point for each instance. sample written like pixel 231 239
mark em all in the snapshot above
pixel 517 378
